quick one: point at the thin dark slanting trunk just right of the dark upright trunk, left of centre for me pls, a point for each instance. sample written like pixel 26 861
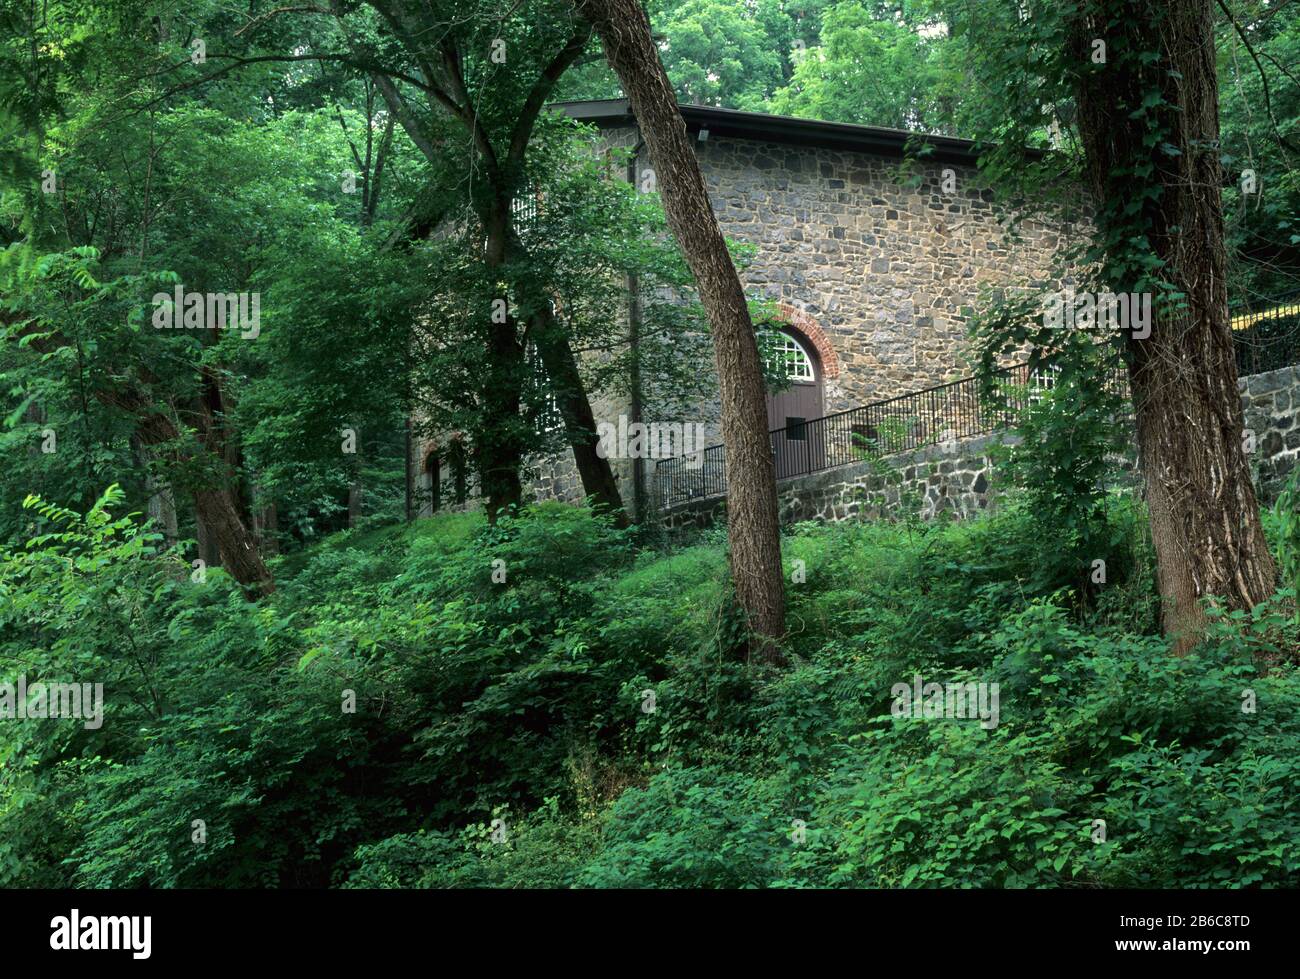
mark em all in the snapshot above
pixel 566 384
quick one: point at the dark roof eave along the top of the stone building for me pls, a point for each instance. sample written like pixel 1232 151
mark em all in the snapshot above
pixel 785 129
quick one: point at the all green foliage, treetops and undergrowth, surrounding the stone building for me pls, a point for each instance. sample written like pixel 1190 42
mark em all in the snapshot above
pixel 547 701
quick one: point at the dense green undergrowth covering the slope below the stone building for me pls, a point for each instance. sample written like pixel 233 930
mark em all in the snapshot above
pixel 502 735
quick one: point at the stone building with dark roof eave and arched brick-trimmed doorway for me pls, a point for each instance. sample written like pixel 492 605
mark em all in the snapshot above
pixel 873 254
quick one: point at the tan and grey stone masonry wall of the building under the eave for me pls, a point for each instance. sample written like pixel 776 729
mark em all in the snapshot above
pixel 879 270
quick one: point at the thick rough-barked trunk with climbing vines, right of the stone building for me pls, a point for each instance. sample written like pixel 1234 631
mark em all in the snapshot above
pixel 1204 516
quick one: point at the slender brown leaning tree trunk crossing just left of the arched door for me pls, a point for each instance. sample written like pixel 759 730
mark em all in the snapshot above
pixel 752 521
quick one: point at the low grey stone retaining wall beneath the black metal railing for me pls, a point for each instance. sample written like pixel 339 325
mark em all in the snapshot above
pixel 961 482
